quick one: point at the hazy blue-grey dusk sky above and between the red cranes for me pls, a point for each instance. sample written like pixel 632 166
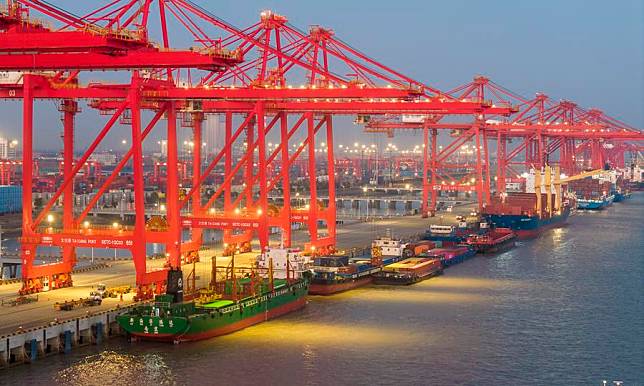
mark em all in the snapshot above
pixel 590 52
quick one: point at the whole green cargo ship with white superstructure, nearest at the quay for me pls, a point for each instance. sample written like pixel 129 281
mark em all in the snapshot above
pixel 245 296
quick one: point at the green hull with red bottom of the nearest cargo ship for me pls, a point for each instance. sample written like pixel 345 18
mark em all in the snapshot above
pixel 216 322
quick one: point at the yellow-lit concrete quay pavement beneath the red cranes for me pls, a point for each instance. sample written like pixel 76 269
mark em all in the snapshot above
pixel 358 234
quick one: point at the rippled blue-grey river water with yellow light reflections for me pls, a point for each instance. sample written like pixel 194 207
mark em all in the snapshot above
pixel 564 309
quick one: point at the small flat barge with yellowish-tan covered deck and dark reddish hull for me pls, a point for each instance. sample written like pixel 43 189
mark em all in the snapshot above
pixel 409 271
